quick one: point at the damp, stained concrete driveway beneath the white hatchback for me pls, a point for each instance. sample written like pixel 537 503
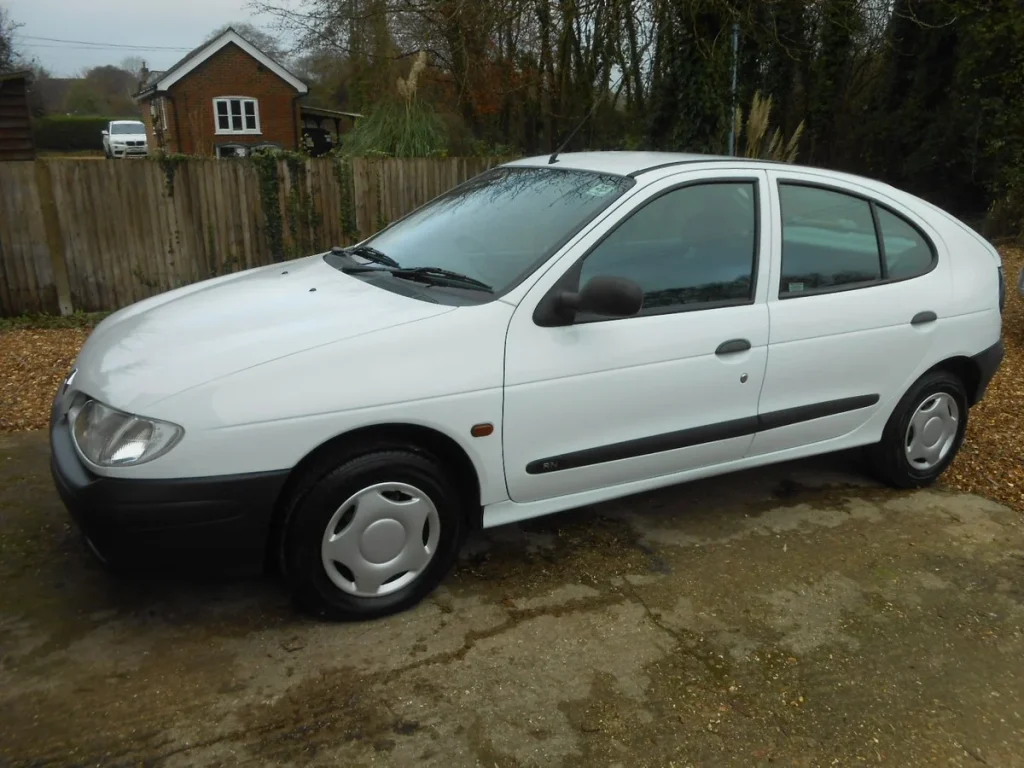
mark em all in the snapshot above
pixel 797 616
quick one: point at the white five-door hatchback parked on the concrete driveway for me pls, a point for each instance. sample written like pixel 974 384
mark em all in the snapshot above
pixel 558 334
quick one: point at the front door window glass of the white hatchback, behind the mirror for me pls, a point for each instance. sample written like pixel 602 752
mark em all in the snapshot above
pixel 696 245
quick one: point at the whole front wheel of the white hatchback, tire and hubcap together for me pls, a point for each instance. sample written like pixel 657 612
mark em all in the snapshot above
pixel 351 533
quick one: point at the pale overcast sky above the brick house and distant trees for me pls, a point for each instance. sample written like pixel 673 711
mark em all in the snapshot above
pixel 153 26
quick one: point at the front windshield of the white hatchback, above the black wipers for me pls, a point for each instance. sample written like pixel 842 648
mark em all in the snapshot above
pixel 500 226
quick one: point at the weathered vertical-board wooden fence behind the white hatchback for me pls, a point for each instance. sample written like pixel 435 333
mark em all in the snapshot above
pixel 94 236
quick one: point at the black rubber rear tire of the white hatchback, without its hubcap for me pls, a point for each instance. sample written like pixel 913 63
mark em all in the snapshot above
pixel 888 459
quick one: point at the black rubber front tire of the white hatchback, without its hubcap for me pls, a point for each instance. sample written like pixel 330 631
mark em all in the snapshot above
pixel 318 498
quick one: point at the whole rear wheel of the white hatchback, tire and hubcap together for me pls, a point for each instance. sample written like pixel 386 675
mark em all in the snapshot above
pixel 924 434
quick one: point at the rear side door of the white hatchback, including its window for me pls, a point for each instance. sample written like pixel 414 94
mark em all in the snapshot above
pixel 857 305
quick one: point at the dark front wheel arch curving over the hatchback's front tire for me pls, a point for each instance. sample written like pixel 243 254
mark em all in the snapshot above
pixel 382 437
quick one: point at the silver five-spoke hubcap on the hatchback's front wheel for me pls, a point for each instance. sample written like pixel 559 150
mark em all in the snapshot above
pixel 380 540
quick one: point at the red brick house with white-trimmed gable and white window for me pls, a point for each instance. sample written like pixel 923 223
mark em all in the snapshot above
pixel 223 100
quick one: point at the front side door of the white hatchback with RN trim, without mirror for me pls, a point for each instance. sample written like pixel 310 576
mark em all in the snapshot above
pixel 605 402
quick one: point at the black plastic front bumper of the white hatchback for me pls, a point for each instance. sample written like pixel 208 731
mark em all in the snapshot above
pixel 221 523
